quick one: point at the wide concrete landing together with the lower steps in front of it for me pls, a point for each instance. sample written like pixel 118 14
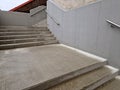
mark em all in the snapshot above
pixel 55 67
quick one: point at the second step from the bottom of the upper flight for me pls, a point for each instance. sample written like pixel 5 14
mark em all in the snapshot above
pixel 10 41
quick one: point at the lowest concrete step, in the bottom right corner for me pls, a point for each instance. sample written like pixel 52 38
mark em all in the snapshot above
pixel 113 84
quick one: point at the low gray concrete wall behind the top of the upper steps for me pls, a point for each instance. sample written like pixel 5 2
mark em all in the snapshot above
pixel 22 19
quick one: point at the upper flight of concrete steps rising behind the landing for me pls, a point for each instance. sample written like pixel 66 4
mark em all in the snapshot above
pixel 21 36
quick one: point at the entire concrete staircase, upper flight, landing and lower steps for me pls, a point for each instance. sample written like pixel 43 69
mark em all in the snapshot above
pixel 68 69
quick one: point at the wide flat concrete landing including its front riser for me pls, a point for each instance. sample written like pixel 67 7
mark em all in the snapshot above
pixel 43 66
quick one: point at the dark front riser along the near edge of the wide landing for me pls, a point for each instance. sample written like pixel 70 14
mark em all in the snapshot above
pixel 65 77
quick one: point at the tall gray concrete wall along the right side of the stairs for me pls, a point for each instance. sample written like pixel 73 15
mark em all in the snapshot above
pixel 86 28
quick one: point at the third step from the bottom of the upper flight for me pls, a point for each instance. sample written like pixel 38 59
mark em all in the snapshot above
pixel 25 36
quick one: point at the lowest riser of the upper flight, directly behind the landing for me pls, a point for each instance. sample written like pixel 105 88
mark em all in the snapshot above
pixel 27 45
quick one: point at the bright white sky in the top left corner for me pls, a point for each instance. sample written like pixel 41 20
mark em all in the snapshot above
pixel 9 4
